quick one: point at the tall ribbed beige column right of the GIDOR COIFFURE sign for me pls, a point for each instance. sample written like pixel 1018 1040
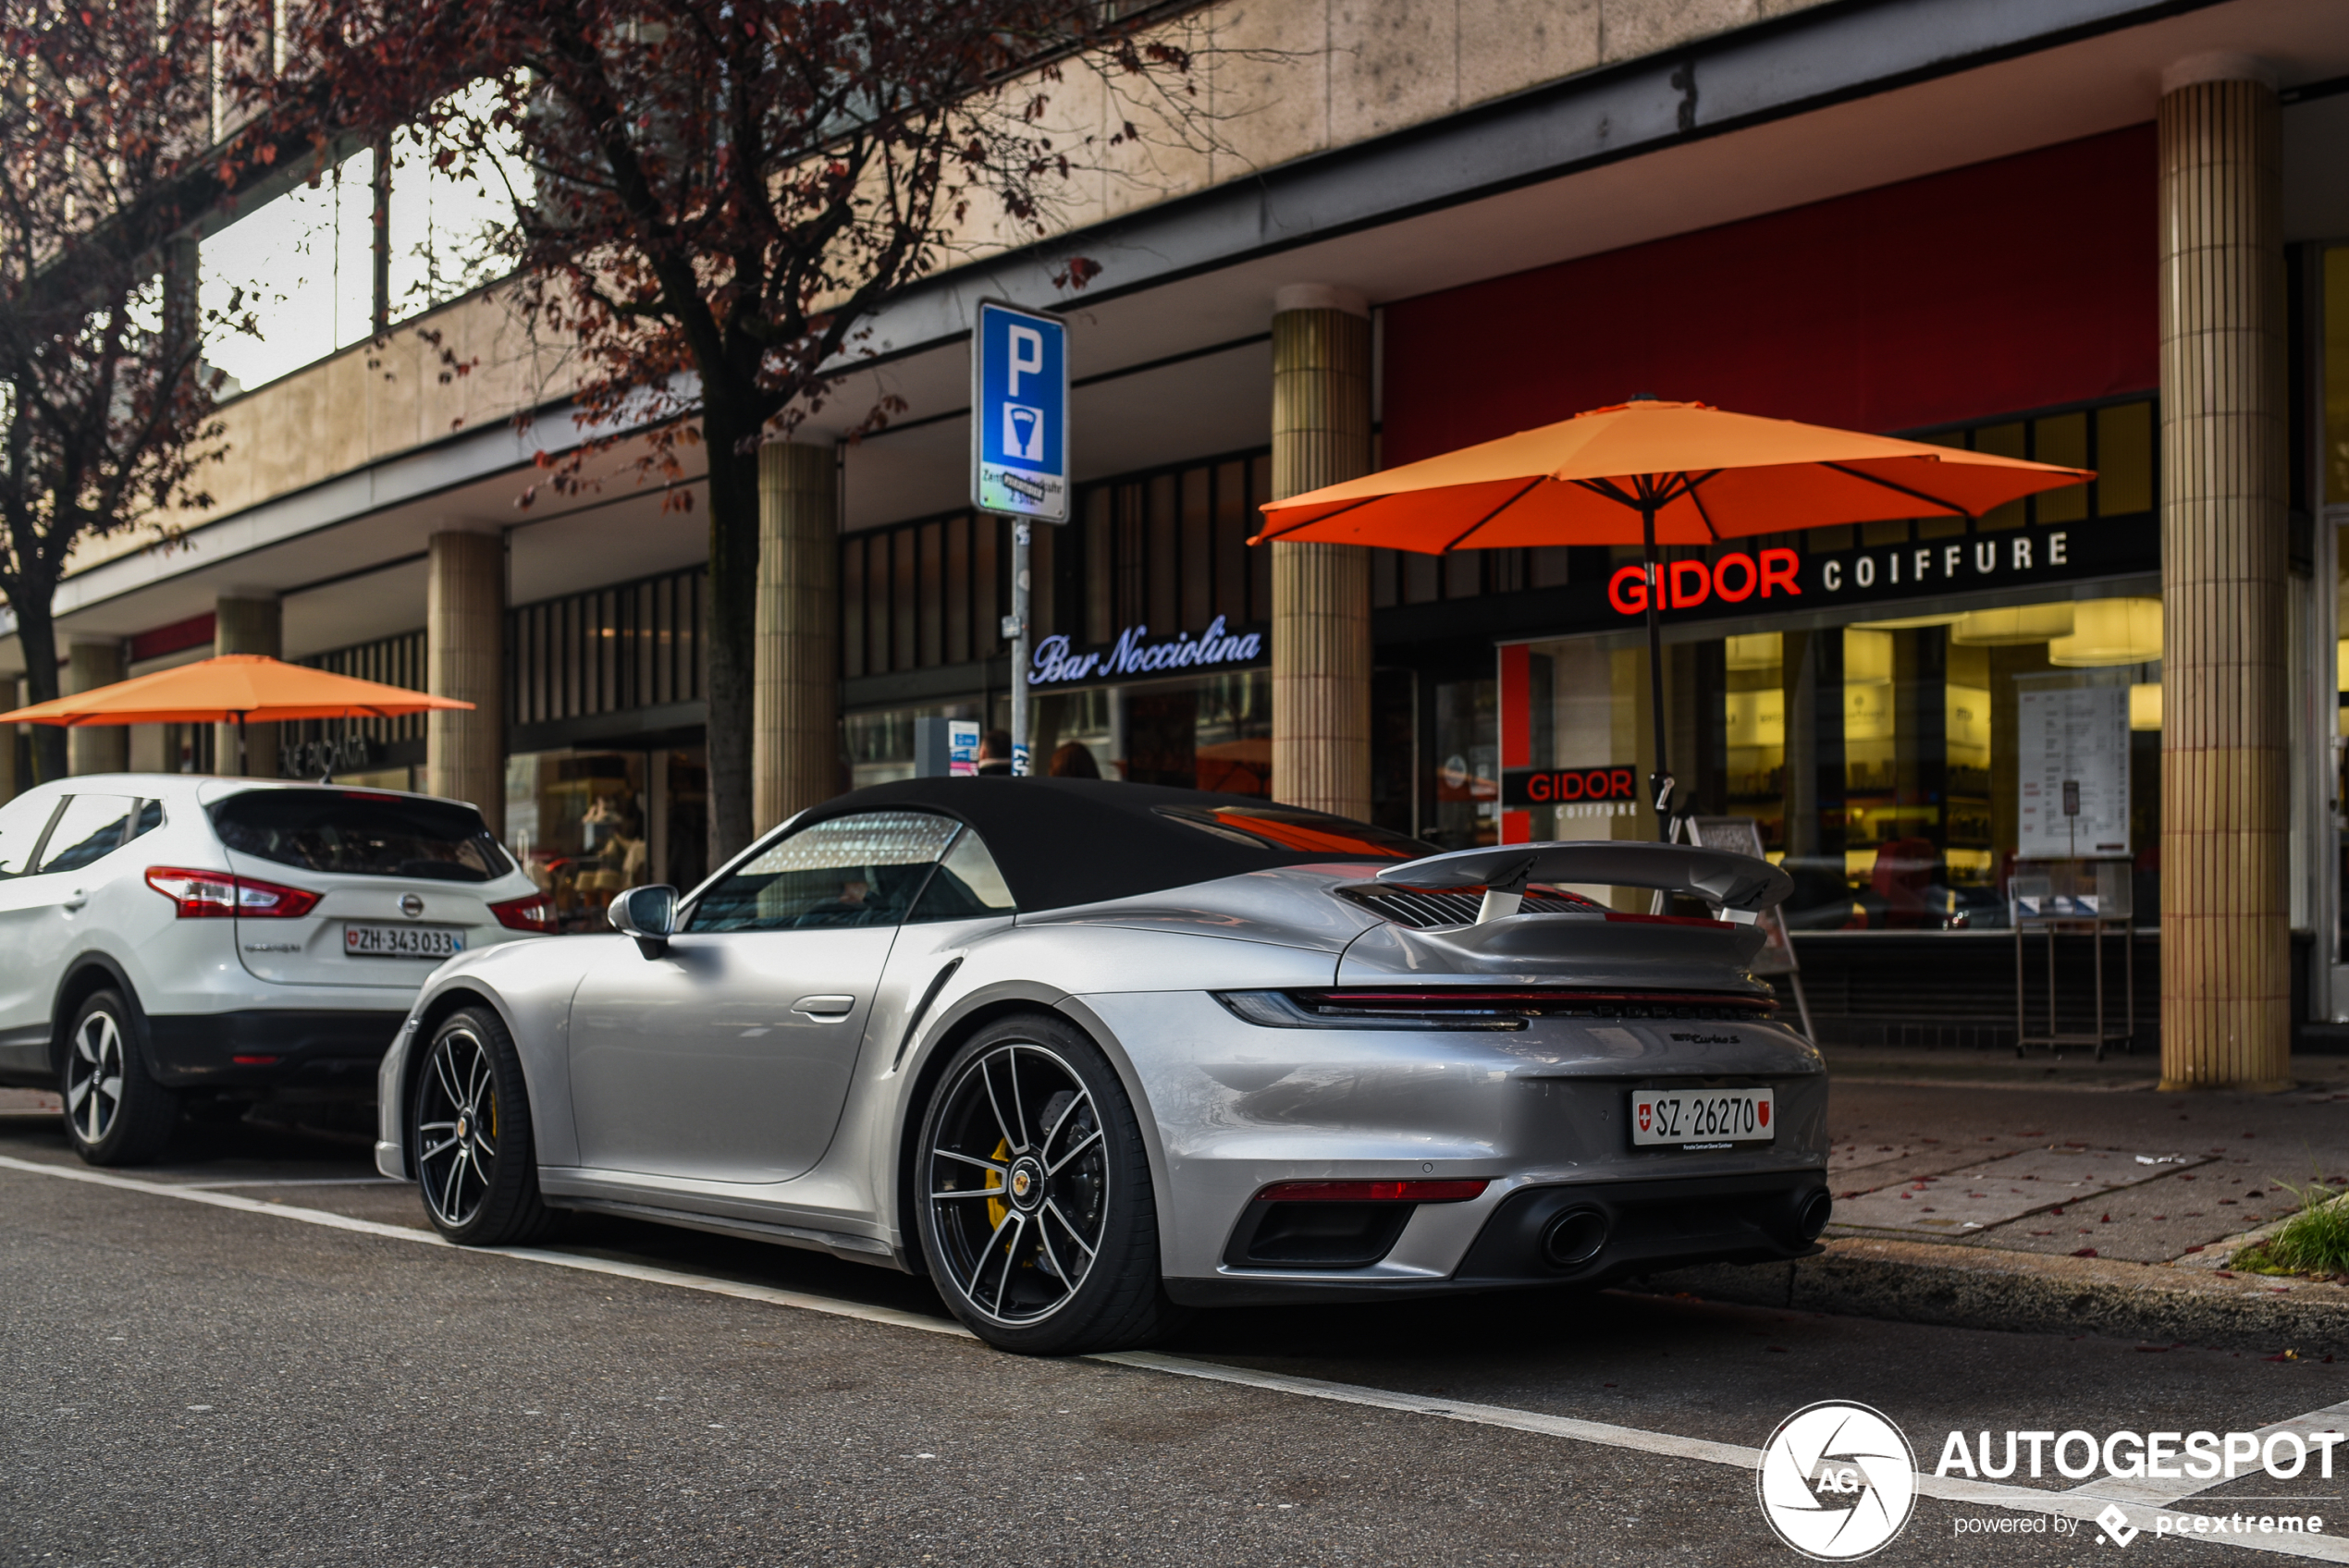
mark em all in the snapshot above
pixel 2226 898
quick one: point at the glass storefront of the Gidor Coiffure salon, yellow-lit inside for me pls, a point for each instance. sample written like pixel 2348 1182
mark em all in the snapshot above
pixel 1894 766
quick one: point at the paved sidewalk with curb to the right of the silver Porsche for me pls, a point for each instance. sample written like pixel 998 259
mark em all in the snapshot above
pixel 1988 1191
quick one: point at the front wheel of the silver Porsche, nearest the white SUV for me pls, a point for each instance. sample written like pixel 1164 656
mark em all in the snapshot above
pixel 471 1135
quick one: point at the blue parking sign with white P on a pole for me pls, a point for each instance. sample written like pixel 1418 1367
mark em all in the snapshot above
pixel 1021 414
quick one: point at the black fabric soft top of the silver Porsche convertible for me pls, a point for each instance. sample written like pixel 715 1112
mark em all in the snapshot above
pixel 1082 842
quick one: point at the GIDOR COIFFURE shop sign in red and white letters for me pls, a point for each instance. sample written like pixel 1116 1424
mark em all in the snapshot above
pixel 1761 581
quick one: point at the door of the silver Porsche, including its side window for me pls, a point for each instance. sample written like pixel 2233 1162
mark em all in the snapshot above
pixel 729 1055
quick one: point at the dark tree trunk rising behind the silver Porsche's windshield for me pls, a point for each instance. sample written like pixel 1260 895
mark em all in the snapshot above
pixel 734 630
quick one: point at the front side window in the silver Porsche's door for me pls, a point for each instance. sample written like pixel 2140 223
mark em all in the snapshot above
pixel 844 872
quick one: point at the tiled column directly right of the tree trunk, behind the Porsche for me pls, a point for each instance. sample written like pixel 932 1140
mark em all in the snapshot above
pixel 797 694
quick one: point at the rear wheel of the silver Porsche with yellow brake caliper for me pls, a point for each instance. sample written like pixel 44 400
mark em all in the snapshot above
pixel 1037 1215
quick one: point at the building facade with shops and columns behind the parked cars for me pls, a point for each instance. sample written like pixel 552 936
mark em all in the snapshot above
pixel 2118 241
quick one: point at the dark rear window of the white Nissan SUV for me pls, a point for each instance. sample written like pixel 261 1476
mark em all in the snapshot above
pixel 361 834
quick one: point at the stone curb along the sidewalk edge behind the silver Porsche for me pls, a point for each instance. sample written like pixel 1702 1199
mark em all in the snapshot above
pixel 2019 1292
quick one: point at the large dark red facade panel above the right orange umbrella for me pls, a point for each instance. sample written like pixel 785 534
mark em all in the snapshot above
pixel 1988 290
